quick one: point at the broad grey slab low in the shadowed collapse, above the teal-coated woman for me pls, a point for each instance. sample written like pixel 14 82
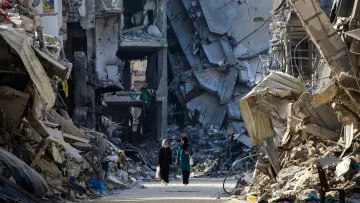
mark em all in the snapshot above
pixel 210 108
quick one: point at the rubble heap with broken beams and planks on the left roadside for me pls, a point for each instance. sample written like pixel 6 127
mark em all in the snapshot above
pixel 44 156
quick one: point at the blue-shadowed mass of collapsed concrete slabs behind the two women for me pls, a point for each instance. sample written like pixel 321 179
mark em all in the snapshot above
pixel 211 71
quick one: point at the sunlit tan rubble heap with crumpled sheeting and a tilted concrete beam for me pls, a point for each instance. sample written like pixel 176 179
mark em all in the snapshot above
pixel 304 120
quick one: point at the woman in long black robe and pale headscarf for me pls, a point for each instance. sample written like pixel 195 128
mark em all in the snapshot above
pixel 165 161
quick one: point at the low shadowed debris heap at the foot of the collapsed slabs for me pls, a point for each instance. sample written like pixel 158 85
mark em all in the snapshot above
pixel 214 150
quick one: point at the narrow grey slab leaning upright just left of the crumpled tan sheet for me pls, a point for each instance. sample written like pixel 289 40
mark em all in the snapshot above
pixel 229 85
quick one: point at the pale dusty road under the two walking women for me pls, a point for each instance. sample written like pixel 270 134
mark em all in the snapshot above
pixel 199 190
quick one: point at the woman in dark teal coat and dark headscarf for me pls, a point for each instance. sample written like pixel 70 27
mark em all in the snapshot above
pixel 183 158
